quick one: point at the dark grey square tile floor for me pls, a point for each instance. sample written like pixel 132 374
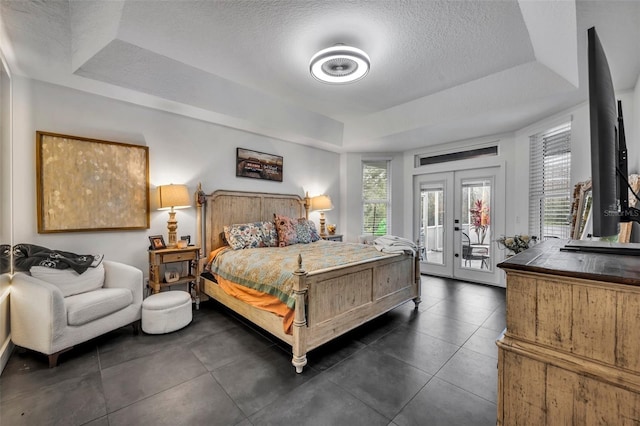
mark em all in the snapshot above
pixel 433 366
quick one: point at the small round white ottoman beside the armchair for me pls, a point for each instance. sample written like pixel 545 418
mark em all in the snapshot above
pixel 166 312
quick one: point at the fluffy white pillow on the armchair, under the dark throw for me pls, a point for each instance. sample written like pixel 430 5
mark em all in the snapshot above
pixel 69 281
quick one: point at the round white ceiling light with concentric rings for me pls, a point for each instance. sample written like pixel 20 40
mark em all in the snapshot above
pixel 339 64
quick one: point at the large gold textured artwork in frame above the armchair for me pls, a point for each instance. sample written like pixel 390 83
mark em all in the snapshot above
pixel 90 185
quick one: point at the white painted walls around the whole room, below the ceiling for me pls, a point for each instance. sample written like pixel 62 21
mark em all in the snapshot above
pixel 184 150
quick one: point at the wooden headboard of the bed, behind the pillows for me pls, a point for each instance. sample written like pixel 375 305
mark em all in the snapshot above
pixel 228 207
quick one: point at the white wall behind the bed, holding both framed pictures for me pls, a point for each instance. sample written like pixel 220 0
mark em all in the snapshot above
pixel 181 150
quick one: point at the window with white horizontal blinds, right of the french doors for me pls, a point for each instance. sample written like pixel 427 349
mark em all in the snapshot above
pixel 549 189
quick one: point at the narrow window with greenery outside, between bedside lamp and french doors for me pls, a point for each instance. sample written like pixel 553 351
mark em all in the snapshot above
pixel 376 197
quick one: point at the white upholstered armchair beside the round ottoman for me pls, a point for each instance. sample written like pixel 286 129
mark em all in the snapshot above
pixel 44 320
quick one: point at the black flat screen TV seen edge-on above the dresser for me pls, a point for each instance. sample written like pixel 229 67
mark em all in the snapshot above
pixel 609 172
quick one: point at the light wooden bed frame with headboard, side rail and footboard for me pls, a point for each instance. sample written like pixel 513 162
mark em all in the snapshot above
pixel 329 302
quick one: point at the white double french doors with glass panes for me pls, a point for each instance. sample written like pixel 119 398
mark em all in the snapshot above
pixel 458 214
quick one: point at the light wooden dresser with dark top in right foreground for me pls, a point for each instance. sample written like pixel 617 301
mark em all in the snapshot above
pixel 570 354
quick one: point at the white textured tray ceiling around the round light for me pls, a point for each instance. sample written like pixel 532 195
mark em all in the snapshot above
pixel 441 70
